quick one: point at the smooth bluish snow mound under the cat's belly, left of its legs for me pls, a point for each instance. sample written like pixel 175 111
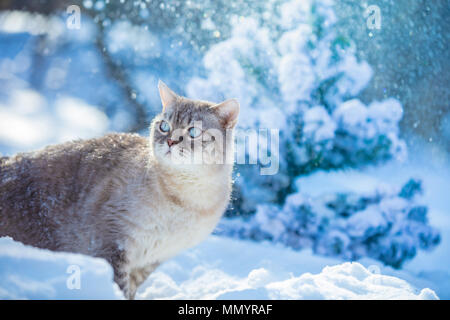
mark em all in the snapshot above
pixel 31 273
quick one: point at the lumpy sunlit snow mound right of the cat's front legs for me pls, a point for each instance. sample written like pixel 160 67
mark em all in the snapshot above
pixel 223 268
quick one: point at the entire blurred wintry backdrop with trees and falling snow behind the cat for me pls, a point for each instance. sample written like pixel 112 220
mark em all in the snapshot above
pixel 358 89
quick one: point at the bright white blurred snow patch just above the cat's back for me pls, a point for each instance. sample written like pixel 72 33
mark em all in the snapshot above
pixel 29 120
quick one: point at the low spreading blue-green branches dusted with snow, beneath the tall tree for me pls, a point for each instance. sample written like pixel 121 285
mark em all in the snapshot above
pixel 386 224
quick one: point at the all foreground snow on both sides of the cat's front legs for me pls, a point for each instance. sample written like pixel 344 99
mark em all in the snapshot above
pixel 208 271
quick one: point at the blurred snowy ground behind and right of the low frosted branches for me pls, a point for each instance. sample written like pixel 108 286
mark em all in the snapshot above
pixel 428 268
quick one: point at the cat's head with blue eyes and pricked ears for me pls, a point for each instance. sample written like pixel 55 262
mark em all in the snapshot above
pixel 188 133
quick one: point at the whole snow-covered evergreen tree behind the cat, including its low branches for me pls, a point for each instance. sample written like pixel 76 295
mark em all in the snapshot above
pixel 297 75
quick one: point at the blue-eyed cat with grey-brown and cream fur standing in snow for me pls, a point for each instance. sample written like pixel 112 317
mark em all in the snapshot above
pixel 133 201
